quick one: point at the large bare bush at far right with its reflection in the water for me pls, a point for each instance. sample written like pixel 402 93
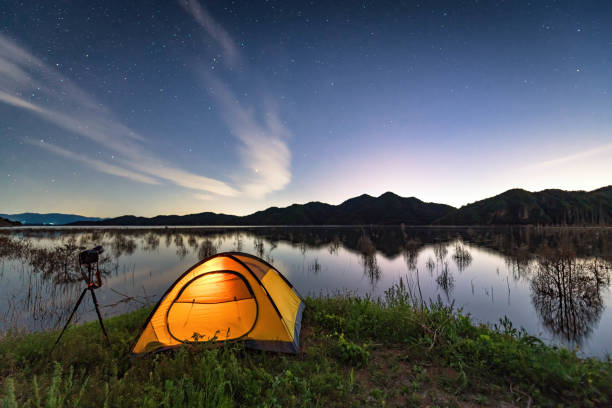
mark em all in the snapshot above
pixel 566 292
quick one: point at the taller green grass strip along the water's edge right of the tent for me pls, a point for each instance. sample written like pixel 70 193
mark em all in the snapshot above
pixel 479 353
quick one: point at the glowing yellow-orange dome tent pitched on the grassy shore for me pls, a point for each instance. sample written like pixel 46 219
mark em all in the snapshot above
pixel 228 296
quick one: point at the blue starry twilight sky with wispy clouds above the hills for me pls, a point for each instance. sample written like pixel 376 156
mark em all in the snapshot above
pixel 175 107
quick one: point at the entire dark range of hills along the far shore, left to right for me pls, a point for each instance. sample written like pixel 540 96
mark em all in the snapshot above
pixel 513 207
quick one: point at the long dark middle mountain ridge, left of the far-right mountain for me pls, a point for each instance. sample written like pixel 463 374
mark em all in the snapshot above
pixel 389 208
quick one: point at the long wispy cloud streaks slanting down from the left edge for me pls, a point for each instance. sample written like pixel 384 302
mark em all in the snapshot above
pixel 68 107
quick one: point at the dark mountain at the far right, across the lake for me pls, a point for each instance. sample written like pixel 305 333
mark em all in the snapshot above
pixel 547 207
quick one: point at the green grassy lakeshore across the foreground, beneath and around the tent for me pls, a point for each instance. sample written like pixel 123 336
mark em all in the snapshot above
pixel 355 352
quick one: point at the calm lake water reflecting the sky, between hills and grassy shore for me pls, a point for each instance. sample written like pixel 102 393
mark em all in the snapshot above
pixel 555 283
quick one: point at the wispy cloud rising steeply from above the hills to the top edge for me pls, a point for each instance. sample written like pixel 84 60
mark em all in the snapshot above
pixel 263 141
